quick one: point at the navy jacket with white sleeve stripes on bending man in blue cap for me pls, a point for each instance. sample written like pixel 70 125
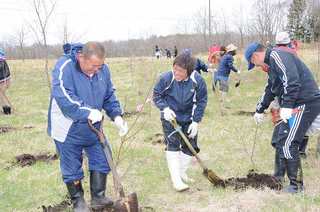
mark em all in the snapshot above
pixel 289 79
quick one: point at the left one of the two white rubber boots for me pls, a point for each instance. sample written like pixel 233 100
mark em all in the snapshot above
pixel 173 160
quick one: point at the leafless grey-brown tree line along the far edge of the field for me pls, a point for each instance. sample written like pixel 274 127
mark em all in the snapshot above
pixel 267 18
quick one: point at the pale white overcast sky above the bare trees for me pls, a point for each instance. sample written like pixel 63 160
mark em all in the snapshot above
pixel 114 19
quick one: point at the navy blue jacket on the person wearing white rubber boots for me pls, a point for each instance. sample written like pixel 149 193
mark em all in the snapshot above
pixel 188 98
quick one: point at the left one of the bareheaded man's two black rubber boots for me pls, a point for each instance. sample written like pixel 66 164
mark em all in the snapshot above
pixel 76 193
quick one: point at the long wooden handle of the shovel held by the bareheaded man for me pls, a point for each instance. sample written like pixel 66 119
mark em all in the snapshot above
pixel 117 182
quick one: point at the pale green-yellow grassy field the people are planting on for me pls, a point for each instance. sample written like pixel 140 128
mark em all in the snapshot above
pixel 225 142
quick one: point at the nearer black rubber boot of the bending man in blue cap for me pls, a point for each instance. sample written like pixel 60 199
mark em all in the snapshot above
pixel 296 184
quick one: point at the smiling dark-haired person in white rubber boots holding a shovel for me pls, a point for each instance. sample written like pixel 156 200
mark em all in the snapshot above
pixel 180 94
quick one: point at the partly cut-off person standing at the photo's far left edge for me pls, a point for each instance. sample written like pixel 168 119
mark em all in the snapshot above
pixel 4 83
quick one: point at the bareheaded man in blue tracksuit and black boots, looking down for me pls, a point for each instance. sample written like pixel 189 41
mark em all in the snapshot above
pixel 81 88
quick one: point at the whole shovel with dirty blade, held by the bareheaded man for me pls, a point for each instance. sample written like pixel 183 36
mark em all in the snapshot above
pixel 125 203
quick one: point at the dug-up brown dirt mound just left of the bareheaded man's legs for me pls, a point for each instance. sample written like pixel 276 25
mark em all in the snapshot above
pixel 28 159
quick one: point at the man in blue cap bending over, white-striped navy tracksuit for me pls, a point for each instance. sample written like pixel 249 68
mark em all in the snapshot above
pixel 290 80
